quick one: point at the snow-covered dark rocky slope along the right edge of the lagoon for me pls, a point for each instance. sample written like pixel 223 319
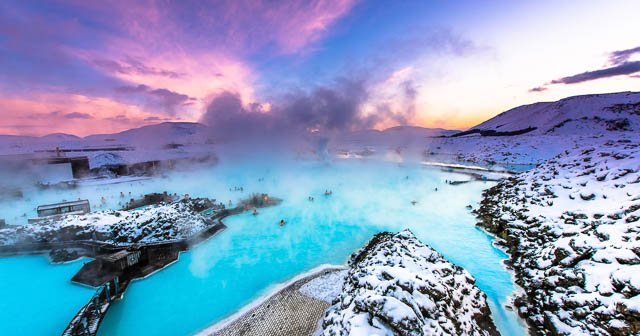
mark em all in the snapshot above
pixel 572 227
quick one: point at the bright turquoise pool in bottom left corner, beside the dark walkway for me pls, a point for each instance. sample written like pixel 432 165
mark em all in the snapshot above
pixel 37 298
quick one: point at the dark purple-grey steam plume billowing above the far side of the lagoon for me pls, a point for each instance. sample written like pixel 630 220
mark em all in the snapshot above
pixel 328 109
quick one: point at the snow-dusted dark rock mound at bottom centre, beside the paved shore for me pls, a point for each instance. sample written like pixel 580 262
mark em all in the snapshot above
pixel 398 286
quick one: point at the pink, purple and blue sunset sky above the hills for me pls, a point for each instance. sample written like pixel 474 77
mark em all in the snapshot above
pixel 89 67
